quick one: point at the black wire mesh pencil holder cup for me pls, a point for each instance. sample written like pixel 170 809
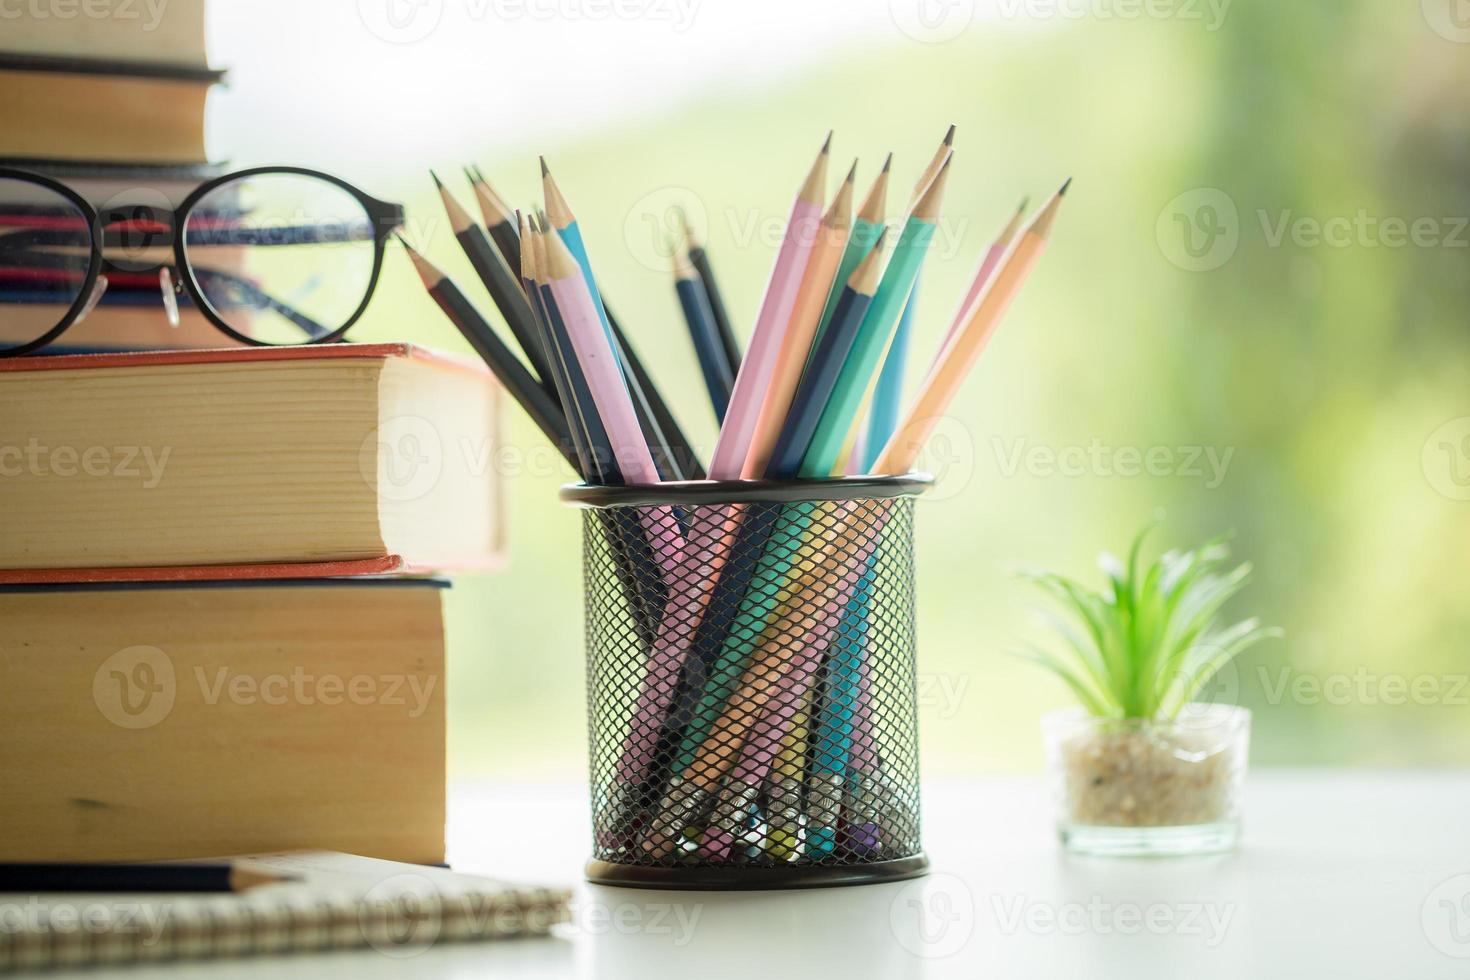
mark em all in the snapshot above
pixel 752 691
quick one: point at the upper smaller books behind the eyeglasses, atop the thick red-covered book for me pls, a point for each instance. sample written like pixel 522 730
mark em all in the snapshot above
pixel 114 107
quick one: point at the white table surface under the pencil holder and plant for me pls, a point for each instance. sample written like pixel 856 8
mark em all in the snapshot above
pixel 1343 875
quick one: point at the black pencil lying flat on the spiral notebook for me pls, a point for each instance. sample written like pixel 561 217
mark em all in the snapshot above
pixel 198 876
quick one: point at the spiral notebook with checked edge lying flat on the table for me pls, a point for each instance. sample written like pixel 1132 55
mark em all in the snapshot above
pixel 339 901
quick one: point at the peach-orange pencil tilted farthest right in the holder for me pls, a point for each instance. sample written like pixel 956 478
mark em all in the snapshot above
pixel 959 358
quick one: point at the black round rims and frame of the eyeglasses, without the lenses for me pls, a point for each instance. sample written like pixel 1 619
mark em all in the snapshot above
pixel 386 220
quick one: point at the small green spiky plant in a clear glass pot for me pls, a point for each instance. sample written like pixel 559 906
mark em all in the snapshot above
pixel 1143 768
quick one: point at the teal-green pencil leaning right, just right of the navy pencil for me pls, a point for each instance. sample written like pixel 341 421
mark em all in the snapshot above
pixel 874 333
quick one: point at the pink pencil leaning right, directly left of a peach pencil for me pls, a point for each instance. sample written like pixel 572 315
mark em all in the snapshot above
pixel 749 394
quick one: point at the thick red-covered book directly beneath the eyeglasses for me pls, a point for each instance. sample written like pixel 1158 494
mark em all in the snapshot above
pixel 248 464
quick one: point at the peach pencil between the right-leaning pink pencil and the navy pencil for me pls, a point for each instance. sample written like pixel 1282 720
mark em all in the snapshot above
pixel 796 346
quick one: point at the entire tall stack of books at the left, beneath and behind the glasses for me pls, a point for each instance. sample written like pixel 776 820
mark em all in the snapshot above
pixel 221 628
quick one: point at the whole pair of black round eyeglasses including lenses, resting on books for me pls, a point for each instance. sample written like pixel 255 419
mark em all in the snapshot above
pixel 273 256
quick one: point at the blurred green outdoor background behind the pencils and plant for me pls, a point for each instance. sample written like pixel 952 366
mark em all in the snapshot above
pixel 1186 305
